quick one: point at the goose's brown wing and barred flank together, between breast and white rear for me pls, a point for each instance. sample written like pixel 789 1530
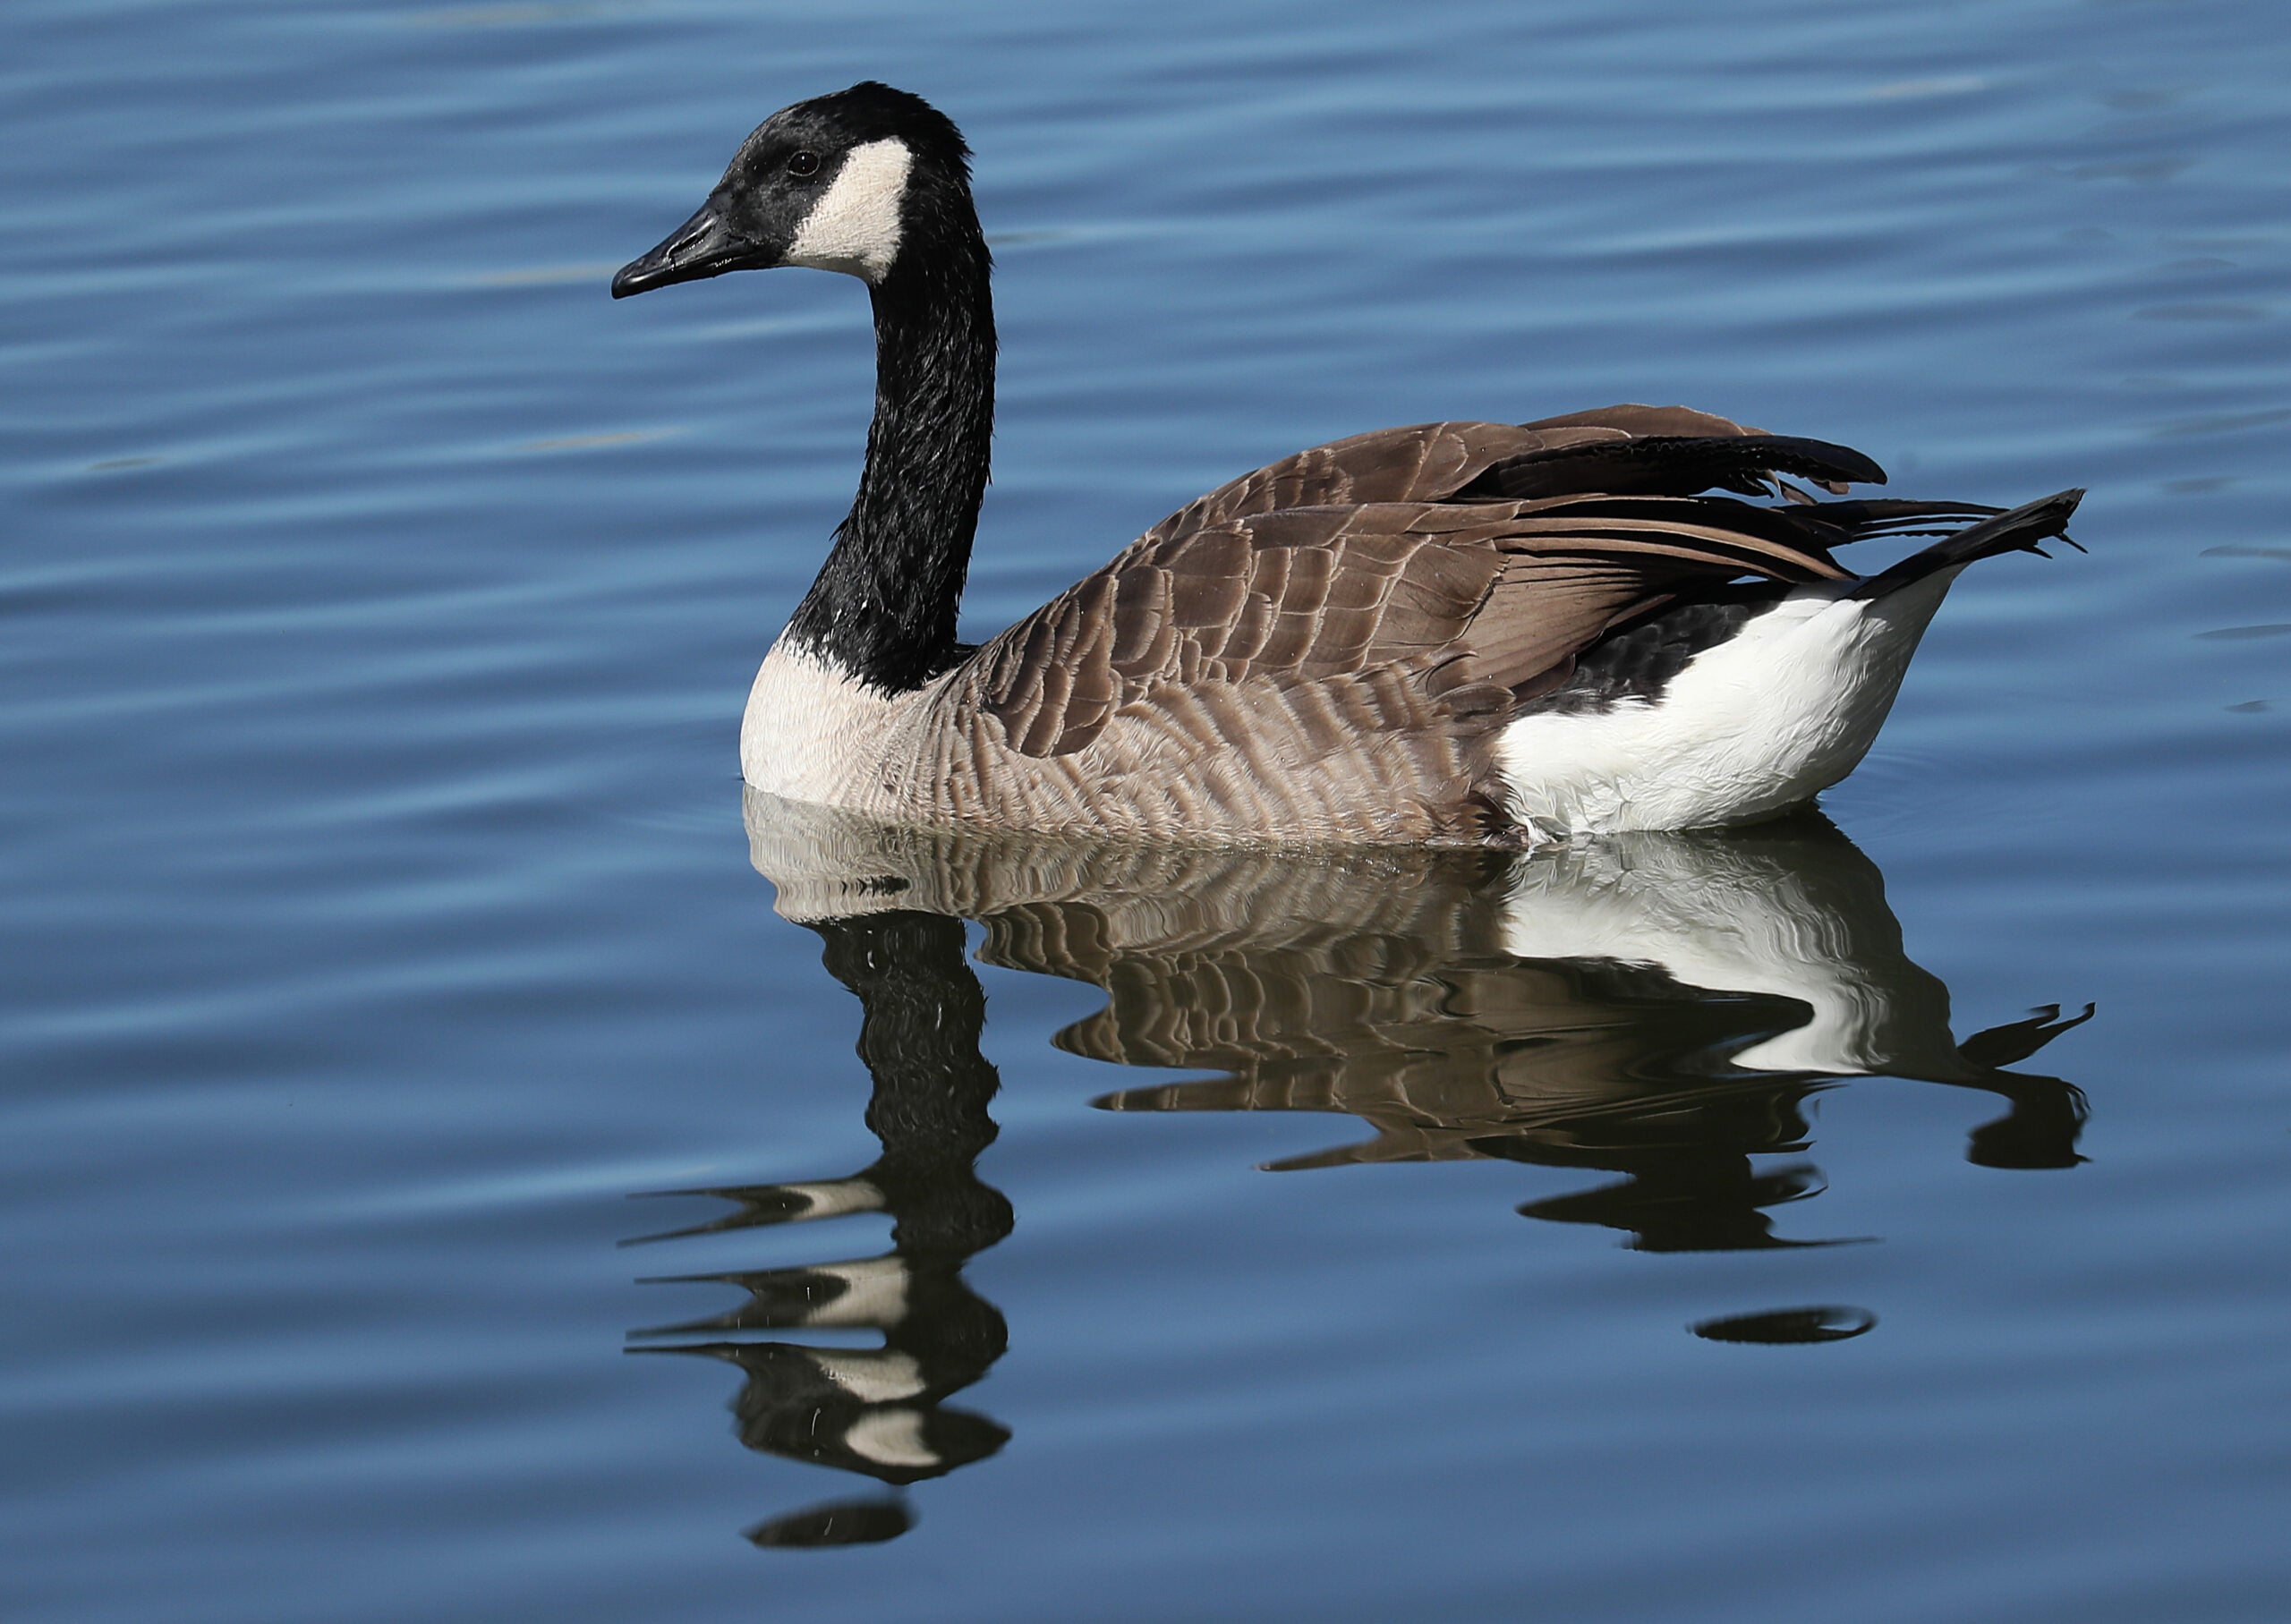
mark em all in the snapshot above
pixel 1330 645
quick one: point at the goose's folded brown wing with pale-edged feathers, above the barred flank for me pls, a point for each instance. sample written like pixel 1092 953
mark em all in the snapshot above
pixel 1486 592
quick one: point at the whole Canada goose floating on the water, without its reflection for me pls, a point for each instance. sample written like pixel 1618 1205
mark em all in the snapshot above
pixel 1449 633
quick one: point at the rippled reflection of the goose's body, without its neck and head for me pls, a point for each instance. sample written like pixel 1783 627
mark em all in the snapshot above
pixel 1655 1007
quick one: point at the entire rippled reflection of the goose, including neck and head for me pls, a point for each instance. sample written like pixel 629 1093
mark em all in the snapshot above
pixel 1655 1007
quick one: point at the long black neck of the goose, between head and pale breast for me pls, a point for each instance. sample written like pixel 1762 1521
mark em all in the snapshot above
pixel 883 606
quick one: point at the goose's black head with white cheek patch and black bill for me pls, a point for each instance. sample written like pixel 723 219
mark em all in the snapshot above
pixel 840 182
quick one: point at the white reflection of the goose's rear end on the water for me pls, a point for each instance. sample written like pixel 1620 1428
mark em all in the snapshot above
pixel 1724 922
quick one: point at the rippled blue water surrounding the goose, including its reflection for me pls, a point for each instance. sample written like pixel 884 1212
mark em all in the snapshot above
pixel 386 949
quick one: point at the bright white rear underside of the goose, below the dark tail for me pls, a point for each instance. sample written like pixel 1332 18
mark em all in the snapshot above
pixel 1761 723
